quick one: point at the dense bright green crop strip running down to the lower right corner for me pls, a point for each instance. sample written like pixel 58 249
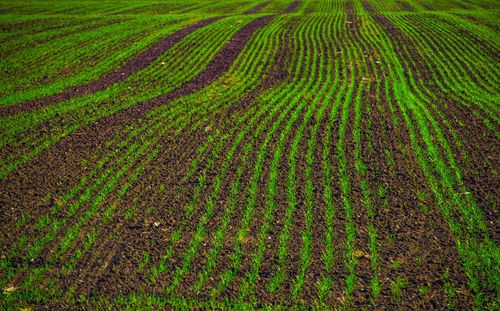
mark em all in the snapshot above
pixel 470 247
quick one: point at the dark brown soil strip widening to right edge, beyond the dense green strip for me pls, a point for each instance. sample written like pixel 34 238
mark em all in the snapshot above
pixel 479 165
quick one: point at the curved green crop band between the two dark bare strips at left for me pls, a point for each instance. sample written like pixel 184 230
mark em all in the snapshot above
pixel 77 110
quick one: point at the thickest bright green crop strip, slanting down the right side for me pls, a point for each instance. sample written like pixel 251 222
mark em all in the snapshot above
pixel 437 161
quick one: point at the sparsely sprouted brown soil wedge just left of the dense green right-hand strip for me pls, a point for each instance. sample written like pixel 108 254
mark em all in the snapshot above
pixel 423 254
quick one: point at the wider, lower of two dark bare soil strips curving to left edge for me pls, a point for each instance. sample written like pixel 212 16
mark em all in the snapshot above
pixel 87 140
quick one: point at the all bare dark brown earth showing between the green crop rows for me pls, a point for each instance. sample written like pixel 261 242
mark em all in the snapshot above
pixel 410 228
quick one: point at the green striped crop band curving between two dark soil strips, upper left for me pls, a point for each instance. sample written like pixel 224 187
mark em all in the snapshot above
pixel 68 116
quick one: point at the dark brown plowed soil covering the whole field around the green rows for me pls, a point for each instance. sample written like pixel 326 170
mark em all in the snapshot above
pixel 414 240
